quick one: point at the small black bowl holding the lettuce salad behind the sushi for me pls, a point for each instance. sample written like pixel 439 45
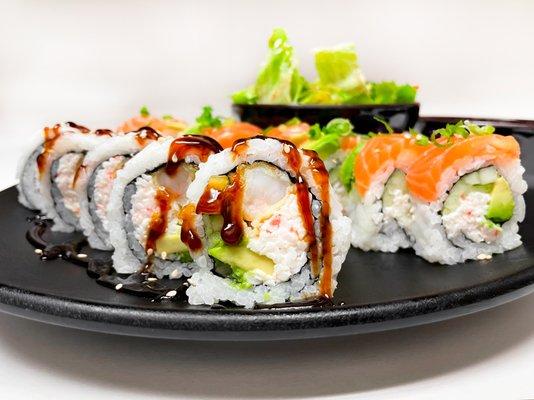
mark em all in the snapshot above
pixel 399 116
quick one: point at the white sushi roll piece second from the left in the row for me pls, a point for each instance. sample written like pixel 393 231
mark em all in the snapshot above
pixel 95 177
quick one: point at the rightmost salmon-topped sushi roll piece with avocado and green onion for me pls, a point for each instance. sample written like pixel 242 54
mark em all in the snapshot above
pixel 467 196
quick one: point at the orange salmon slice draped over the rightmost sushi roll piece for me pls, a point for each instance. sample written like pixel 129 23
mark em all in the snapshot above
pixel 427 178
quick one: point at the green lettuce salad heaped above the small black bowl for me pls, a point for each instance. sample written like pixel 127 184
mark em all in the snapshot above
pixel 339 79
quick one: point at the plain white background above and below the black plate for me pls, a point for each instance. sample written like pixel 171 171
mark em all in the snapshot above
pixel 96 62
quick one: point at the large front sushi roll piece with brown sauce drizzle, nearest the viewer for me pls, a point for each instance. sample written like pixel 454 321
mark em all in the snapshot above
pixel 264 226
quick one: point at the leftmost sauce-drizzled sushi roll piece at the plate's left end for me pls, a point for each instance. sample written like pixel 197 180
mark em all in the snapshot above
pixel 47 173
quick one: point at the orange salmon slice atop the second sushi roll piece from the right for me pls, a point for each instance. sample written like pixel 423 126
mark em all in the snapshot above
pixel 382 153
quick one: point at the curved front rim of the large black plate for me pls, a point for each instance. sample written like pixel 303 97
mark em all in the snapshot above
pixel 264 324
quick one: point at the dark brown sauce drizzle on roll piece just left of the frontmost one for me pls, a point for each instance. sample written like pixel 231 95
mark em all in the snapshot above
pixel 179 149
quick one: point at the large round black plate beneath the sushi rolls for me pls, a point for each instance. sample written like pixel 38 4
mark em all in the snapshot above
pixel 376 291
